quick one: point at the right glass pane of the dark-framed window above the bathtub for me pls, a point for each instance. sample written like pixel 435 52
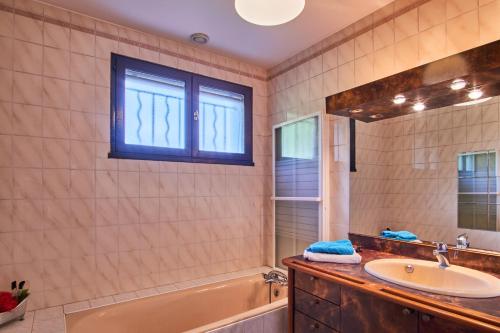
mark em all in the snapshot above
pixel 221 121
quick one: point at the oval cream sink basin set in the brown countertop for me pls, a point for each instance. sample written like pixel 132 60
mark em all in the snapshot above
pixel 428 276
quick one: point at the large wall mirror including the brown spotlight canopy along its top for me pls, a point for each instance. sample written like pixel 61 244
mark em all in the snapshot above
pixel 428 165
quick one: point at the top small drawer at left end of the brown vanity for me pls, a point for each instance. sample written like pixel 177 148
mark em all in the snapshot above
pixel 318 287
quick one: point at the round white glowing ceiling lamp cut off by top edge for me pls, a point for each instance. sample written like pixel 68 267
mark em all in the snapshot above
pixel 269 12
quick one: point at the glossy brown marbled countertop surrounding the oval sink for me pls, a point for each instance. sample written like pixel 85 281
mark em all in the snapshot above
pixel 490 306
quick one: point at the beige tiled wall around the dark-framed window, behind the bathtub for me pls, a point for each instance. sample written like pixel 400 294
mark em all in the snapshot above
pixel 78 225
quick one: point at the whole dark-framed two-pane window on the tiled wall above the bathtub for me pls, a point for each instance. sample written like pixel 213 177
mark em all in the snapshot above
pixel 161 113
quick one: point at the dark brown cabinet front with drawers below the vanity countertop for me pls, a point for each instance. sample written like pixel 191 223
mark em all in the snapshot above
pixel 318 305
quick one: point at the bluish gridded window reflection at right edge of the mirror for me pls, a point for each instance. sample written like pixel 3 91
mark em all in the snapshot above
pixel 477 190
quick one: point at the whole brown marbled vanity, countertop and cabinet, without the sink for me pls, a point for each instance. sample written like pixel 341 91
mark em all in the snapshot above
pixel 327 297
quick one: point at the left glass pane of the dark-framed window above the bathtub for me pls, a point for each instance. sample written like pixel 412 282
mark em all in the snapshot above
pixel 154 111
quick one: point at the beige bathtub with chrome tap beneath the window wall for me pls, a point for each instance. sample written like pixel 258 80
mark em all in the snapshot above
pixel 200 309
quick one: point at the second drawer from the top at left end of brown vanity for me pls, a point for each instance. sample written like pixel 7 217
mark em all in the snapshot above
pixel 318 309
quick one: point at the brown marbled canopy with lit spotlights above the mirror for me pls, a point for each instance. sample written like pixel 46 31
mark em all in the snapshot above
pixel 465 77
